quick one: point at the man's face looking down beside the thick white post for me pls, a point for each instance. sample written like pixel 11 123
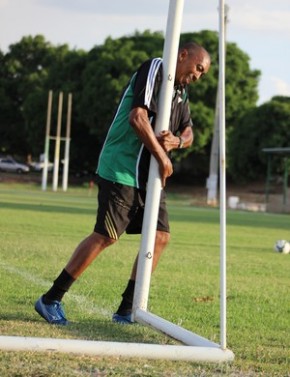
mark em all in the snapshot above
pixel 191 66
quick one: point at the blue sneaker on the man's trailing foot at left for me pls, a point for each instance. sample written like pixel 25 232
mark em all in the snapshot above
pixel 53 313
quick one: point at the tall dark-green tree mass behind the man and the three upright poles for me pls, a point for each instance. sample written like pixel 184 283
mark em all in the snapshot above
pixel 96 79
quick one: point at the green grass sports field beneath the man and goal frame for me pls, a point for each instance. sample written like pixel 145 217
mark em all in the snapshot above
pixel 38 234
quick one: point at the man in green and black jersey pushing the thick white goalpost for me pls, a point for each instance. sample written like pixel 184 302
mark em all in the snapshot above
pixel 123 171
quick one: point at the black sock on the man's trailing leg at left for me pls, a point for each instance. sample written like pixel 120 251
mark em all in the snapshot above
pixel 60 286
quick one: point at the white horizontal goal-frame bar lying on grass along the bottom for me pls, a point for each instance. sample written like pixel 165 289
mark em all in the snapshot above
pixel 116 349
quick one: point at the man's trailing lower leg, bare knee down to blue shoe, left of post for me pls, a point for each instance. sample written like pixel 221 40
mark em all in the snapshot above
pixel 49 305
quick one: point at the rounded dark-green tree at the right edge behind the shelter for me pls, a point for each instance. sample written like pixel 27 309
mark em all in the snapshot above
pixel 266 126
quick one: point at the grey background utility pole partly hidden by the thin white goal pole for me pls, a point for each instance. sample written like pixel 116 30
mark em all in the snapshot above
pixel 212 180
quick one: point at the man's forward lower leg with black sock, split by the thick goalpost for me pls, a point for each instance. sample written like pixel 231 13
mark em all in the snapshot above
pixel 123 314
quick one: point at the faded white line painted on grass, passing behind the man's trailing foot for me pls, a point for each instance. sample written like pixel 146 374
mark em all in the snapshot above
pixel 81 300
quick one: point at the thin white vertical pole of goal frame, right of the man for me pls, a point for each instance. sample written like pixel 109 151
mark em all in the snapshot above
pixel 222 175
